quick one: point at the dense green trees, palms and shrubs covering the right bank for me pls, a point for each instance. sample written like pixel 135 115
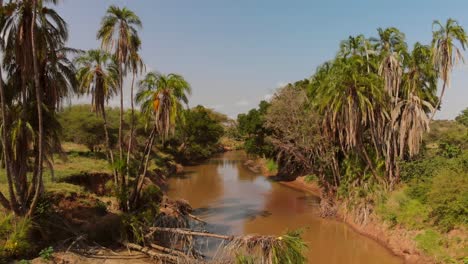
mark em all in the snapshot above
pixel 362 125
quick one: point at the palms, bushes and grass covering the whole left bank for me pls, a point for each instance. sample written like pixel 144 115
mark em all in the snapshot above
pixel 105 185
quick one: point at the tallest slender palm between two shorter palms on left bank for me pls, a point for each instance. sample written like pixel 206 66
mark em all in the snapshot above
pixel 119 31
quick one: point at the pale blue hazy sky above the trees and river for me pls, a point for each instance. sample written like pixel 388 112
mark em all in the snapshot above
pixel 235 53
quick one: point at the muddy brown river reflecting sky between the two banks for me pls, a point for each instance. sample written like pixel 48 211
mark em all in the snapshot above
pixel 236 201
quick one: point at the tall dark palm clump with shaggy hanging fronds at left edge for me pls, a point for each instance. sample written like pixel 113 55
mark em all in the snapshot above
pixel 30 32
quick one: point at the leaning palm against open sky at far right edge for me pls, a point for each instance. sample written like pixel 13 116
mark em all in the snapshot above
pixel 446 53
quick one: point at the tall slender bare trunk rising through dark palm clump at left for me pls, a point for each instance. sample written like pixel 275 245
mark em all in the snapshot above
pixel 39 113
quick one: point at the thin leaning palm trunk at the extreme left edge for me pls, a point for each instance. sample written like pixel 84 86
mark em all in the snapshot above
pixel 12 203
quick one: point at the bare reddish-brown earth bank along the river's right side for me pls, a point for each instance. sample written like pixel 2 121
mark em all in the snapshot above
pixel 397 240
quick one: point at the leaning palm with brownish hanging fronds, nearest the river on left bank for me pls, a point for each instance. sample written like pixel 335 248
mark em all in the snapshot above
pixel 161 98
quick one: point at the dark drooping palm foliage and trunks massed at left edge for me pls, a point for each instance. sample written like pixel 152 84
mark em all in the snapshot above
pixel 39 75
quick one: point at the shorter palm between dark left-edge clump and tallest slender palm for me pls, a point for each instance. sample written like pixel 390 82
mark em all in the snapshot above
pixel 97 77
